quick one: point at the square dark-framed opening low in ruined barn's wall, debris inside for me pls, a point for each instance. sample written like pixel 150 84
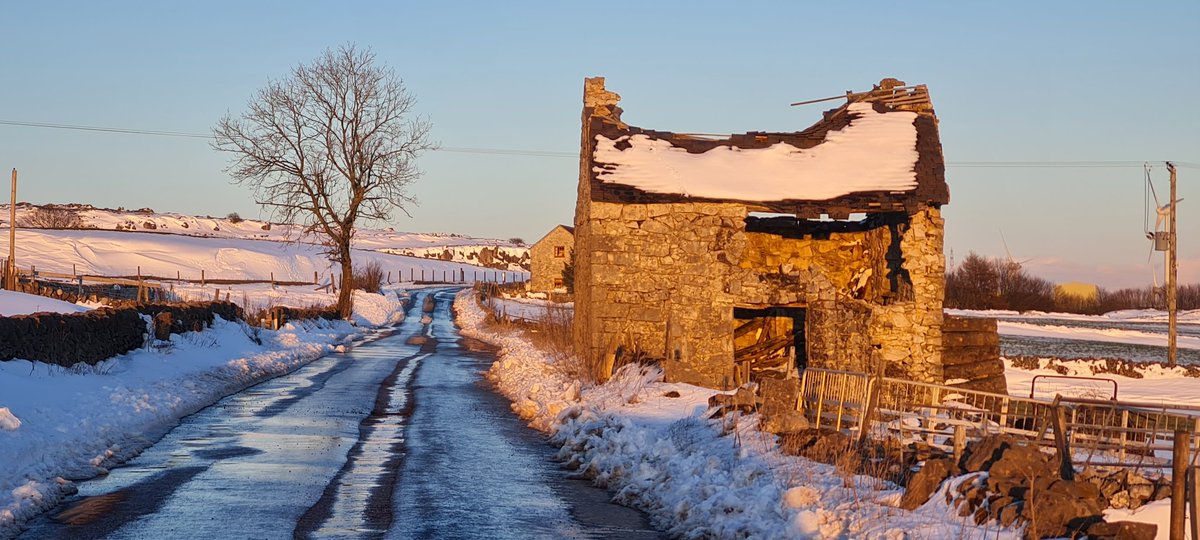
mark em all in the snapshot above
pixel 770 340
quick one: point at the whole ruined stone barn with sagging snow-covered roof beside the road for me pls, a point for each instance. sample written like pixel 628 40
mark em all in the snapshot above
pixel 733 257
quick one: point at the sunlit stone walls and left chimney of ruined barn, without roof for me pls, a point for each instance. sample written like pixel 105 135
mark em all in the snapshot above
pixel 662 280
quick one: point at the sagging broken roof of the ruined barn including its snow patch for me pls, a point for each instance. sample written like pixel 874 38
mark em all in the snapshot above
pixel 880 152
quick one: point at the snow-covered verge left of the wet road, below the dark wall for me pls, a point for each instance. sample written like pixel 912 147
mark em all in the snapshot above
pixel 58 425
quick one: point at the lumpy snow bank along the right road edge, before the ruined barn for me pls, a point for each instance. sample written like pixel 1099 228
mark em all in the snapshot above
pixel 698 478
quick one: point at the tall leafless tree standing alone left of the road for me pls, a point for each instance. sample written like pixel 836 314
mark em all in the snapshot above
pixel 334 143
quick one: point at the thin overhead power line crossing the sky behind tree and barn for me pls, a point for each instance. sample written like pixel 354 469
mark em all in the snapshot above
pixel 501 152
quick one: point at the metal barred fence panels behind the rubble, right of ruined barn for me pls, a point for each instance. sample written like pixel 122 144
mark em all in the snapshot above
pixel 1099 431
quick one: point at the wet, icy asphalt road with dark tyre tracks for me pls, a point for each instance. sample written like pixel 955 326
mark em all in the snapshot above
pixel 397 439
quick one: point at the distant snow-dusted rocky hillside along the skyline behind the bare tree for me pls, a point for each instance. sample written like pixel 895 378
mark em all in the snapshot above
pixel 441 247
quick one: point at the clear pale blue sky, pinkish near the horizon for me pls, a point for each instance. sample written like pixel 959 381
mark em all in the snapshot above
pixel 1103 85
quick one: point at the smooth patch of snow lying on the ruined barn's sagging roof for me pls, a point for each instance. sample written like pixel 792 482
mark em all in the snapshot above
pixel 877 152
